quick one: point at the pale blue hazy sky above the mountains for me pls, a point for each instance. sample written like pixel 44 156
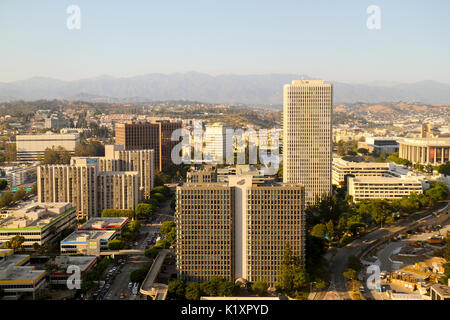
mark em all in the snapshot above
pixel 326 39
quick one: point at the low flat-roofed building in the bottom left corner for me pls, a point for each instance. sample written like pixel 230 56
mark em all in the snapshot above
pixel 16 278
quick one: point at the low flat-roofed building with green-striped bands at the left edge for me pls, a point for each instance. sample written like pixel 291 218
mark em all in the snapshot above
pixel 37 222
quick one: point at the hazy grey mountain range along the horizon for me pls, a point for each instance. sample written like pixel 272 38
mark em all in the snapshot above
pixel 248 89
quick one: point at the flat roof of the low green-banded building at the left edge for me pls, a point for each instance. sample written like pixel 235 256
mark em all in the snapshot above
pixel 34 215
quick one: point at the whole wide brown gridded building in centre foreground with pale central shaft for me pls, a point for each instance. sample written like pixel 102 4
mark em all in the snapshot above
pixel 238 229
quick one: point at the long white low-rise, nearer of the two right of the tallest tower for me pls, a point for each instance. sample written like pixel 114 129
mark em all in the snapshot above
pixel 366 188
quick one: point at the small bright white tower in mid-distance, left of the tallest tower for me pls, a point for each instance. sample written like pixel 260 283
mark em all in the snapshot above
pixel 215 143
